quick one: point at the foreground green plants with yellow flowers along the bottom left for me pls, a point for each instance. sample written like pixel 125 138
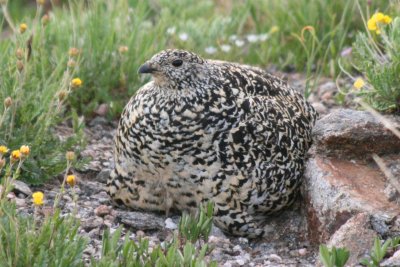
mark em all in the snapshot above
pixel 53 240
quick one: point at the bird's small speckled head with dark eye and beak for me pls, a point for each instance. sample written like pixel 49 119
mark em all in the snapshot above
pixel 177 69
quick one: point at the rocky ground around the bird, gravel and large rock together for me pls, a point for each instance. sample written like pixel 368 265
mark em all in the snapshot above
pixel 347 199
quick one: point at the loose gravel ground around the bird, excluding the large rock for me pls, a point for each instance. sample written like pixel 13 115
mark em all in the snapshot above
pixel 286 245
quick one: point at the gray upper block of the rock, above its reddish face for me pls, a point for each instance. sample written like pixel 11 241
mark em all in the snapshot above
pixel 350 133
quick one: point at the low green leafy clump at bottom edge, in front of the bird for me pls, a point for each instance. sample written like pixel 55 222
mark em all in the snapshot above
pixel 187 248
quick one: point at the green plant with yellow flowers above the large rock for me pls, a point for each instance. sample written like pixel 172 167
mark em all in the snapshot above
pixel 377 57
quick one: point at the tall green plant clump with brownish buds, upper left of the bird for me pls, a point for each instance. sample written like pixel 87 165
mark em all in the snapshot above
pixel 35 87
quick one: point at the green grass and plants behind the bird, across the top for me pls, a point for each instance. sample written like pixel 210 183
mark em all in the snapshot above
pixel 103 43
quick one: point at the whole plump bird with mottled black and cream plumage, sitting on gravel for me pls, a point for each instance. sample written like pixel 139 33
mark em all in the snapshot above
pixel 211 130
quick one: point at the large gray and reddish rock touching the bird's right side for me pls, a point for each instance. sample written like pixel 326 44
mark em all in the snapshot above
pixel 342 180
